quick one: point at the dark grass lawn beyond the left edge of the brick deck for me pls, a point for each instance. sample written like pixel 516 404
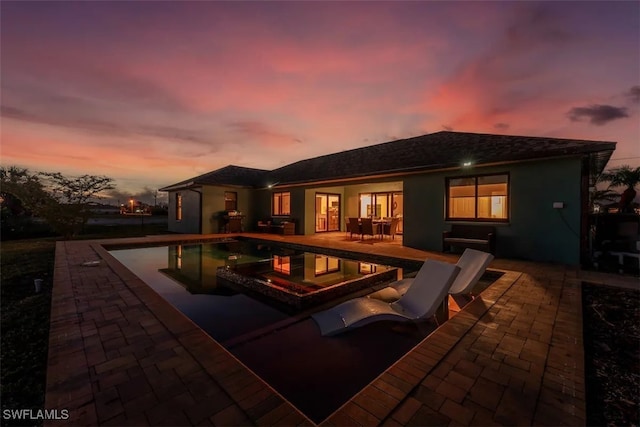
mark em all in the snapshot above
pixel 25 313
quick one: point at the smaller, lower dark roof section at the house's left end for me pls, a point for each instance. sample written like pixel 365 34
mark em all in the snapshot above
pixel 229 175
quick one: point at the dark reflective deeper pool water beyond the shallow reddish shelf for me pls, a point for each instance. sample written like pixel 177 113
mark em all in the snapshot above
pixel 187 277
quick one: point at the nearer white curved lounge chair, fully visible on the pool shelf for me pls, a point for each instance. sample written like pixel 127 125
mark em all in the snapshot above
pixel 420 302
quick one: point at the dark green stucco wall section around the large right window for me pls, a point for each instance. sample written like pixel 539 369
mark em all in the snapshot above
pixel 535 230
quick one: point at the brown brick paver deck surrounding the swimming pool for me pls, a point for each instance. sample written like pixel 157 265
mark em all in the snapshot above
pixel 119 354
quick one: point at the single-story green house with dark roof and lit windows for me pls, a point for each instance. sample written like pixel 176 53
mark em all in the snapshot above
pixel 533 190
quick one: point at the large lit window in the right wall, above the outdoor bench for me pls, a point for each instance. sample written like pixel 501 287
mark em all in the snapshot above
pixel 482 197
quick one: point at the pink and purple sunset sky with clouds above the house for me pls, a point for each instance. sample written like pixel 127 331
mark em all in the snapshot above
pixel 151 93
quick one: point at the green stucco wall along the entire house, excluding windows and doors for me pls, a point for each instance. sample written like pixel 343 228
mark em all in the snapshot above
pixel 535 230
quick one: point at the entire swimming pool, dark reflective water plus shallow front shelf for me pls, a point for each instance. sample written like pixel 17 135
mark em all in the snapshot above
pixel 316 374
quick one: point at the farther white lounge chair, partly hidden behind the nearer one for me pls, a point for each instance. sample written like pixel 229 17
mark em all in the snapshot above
pixel 472 263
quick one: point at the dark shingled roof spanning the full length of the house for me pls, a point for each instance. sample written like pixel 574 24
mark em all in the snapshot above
pixel 440 150
